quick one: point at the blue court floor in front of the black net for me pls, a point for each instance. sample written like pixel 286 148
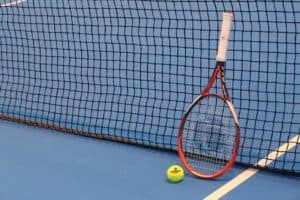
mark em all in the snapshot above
pixel 43 164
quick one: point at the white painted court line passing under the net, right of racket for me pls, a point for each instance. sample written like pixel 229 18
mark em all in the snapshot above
pixel 248 173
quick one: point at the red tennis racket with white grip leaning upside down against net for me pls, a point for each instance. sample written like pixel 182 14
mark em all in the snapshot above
pixel 209 132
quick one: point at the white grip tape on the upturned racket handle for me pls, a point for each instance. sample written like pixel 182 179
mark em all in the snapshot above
pixel 224 36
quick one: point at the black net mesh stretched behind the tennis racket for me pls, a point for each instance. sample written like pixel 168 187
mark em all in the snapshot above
pixel 127 69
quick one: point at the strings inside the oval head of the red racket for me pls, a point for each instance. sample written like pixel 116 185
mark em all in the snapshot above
pixel 209 136
